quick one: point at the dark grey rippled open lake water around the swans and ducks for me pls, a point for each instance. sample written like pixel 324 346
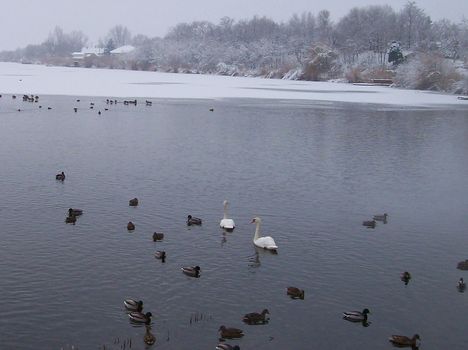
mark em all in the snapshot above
pixel 312 171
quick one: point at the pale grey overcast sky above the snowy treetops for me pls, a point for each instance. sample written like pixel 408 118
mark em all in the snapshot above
pixel 25 22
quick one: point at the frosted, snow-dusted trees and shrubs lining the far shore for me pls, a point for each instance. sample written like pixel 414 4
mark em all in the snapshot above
pixel 308 46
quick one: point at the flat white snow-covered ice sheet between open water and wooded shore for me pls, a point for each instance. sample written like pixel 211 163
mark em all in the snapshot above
pixel 34 79
